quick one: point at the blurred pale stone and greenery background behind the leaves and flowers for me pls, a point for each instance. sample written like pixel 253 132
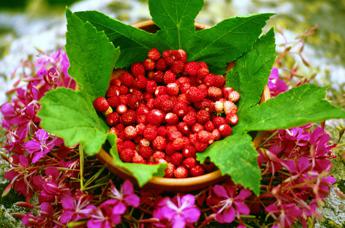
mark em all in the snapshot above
pixel 311 31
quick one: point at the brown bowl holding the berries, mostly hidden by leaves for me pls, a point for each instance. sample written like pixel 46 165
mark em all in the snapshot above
pixel 174 184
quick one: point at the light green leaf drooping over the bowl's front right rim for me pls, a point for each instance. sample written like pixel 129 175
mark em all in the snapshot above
pixel 237 157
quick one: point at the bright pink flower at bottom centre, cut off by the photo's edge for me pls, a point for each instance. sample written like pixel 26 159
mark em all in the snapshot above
pixel 178 212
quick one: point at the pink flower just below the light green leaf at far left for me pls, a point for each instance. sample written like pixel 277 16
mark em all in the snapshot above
pixel 41 144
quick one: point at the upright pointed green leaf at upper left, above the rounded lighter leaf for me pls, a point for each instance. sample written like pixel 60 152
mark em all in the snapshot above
pixel 92 56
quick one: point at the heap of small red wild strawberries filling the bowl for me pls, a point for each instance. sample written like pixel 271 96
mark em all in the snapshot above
pixel 166 109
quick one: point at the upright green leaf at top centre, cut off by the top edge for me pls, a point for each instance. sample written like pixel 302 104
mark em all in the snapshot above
pixel 175 18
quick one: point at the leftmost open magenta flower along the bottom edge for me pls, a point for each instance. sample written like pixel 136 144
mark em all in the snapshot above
pixel 76 208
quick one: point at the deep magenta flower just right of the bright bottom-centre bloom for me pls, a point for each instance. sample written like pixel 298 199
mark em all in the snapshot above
pixel 227 204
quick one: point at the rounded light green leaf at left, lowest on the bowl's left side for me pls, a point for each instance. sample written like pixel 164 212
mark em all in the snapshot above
pixel 71 116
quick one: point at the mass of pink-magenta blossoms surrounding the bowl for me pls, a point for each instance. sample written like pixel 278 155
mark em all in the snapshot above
pixel 295 165
